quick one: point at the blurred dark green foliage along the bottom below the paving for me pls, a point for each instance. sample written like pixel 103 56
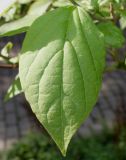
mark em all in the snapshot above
pixel 105 146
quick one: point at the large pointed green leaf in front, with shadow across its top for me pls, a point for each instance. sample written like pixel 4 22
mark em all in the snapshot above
pixel 61 70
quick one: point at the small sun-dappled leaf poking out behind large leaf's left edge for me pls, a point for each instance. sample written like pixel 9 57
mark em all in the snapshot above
pixel 14 89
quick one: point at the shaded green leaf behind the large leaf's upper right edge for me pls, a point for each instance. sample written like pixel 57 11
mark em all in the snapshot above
pixel 113 35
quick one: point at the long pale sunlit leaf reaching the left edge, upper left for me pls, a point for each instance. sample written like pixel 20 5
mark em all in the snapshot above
pixel 22 25
